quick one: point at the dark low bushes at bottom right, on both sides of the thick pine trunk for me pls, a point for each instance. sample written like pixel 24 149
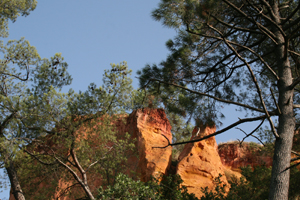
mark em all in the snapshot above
pixel 254 184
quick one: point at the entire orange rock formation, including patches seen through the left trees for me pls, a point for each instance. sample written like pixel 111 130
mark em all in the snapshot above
pixel 198 164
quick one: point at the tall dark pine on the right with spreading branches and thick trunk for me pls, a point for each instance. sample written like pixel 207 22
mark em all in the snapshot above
pixel 243 53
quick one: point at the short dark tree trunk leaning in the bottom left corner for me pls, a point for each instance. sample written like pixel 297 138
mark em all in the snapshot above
pixel 15 184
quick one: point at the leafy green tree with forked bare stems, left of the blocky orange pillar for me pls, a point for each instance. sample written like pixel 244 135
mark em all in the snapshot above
pixel 84 139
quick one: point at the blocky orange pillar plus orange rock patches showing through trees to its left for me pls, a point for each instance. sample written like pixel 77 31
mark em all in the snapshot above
pixel 146 126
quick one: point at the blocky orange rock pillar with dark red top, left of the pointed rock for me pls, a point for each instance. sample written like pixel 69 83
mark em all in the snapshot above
pixel 148 126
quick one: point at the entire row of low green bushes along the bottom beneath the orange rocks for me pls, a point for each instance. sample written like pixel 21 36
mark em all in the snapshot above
pixel 254 184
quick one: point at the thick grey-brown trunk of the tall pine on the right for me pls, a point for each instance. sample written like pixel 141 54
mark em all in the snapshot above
pixel 282 154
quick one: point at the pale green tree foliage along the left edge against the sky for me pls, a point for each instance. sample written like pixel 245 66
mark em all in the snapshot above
pixel 27 83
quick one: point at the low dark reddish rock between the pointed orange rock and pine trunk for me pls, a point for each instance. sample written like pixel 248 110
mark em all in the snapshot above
pixel 234 156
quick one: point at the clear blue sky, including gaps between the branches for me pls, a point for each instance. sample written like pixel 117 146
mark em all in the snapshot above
pixel 92 34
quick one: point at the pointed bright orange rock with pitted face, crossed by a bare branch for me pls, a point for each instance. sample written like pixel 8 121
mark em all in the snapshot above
pixel 199 163
